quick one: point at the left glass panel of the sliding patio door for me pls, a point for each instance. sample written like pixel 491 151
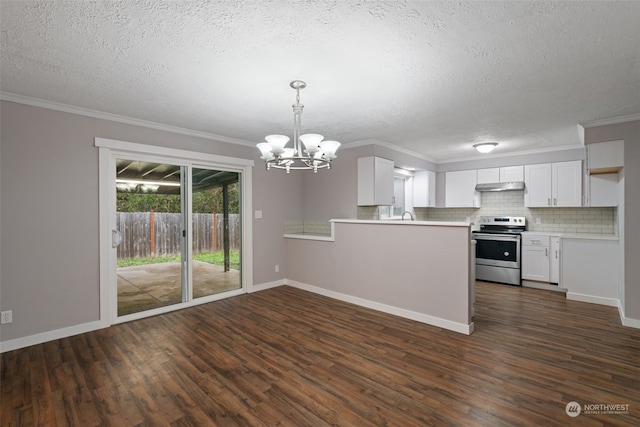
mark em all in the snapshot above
pixel 150 238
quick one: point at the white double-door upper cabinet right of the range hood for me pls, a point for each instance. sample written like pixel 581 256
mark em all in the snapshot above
pixel 553 185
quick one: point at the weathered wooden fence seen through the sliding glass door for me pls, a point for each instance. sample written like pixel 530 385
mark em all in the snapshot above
pixel 151 234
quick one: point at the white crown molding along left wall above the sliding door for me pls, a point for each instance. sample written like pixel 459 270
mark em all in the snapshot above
pixel 51 105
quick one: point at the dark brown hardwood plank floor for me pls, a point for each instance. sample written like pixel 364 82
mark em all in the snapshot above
pixel 287 357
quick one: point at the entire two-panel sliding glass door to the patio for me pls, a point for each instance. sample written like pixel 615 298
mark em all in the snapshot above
pixel 178 234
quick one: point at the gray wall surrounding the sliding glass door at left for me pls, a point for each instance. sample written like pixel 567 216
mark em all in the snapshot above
pixel 49 268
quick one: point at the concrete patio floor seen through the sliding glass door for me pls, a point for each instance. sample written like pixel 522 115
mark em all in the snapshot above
pixel 151 286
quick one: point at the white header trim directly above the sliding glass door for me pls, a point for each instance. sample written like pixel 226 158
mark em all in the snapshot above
pixel 193 156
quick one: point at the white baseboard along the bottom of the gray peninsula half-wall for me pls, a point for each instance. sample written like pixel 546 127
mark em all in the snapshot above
pixel 389 309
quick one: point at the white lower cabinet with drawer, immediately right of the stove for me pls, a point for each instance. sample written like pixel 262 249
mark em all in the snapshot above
pixel 541 258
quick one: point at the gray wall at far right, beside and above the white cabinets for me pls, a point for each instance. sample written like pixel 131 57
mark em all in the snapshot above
pixel 630 133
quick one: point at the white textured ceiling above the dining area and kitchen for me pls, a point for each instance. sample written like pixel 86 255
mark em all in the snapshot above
pixel 431 77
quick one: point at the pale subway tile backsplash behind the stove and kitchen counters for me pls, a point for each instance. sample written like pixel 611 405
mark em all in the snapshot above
pixel 511 203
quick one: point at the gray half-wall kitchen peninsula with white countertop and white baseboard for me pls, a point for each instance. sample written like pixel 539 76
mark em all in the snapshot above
pixel 421 270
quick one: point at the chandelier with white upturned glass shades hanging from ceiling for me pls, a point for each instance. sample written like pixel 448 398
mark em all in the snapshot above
pixel 317 154
